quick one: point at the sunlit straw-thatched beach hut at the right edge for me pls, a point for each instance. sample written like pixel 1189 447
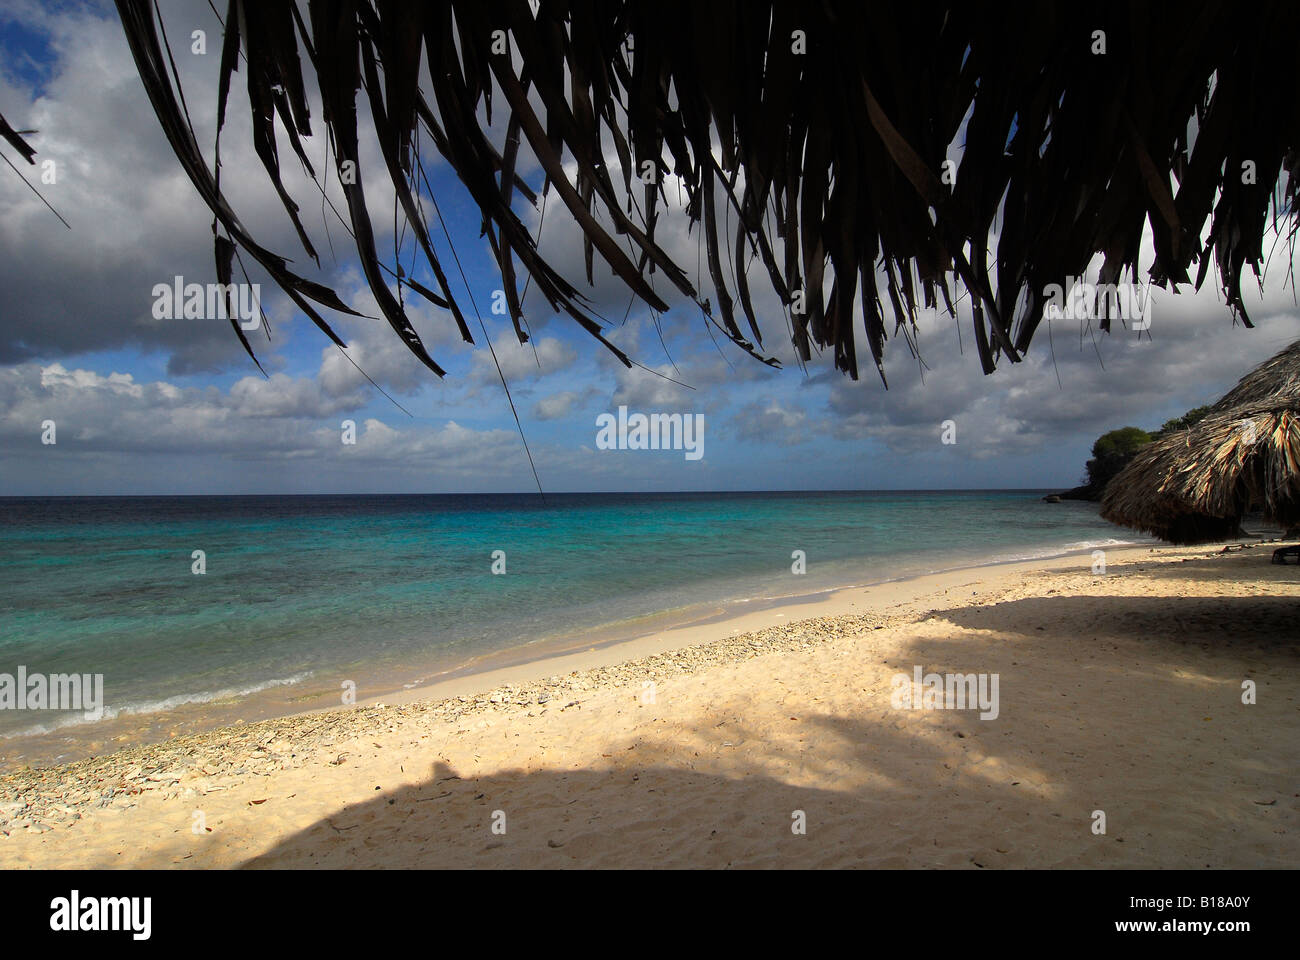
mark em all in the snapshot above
pixel 1197 485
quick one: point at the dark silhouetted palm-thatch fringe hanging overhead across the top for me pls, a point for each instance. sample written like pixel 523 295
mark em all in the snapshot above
pixel 812 141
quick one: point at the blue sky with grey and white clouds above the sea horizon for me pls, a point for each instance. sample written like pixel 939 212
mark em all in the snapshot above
pixel 148 407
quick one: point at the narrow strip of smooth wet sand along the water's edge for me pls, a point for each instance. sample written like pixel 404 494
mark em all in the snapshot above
pixel 696 624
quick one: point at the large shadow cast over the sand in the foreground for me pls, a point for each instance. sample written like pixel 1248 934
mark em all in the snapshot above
pixel 1191 788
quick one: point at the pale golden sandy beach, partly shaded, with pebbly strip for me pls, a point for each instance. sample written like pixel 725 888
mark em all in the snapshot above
pixel 1119 693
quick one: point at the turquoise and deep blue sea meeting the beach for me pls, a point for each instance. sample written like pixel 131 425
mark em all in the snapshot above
pixel 388 589
